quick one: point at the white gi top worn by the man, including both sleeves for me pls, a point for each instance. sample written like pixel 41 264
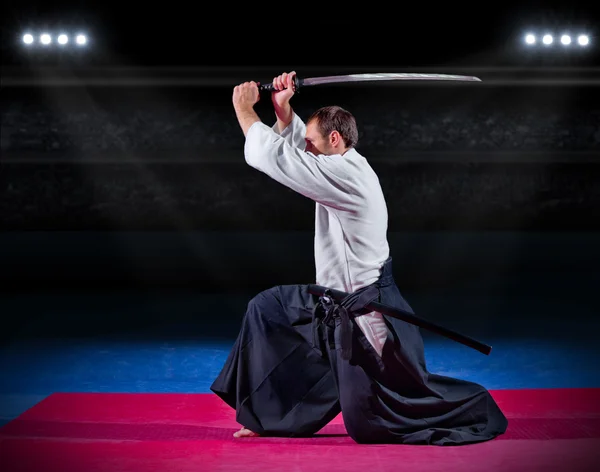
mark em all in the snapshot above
pixel 351 217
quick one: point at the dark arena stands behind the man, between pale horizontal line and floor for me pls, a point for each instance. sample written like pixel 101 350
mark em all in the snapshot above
pixel 126 187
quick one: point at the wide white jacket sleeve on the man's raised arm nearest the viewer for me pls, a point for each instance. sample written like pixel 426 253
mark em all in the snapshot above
pixel 324 179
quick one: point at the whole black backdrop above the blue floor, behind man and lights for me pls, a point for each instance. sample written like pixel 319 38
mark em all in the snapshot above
pixel 122 164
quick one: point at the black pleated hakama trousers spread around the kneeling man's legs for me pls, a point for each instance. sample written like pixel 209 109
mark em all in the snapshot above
pixel 300 359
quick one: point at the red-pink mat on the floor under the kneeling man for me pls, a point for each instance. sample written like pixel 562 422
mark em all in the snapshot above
pixel 549 430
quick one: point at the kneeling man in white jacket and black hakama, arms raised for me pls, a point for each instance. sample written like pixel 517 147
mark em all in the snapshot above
pixel 300 359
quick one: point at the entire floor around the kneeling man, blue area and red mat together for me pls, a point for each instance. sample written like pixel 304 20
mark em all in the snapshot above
pixel 80 394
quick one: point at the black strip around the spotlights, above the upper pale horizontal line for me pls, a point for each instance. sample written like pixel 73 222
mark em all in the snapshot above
pixel 299 34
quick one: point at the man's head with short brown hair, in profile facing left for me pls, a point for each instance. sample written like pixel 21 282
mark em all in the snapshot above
pixel 331 130
